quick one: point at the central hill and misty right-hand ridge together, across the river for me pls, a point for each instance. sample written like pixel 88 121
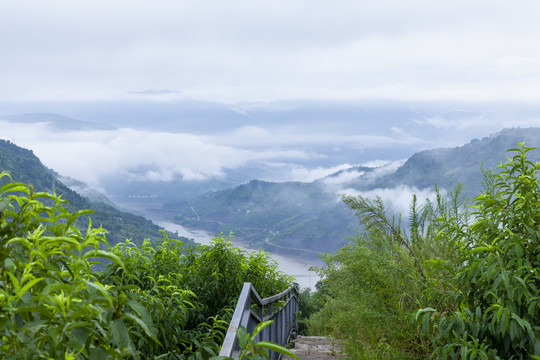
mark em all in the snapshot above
pixel 310 216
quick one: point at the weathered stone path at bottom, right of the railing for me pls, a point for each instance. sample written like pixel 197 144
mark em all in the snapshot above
pixel 315 348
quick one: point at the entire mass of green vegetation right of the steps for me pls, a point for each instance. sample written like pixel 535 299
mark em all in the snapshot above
pixel 459 285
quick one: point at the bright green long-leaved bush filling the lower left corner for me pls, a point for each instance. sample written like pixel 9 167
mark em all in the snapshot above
pixel 51 304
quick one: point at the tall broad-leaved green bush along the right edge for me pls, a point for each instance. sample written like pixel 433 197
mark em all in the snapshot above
pixel 492 306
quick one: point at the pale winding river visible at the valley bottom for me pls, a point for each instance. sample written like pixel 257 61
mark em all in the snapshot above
pixel 291 265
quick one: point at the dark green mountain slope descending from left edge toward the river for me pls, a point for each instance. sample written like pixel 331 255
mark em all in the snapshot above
pixel 25 167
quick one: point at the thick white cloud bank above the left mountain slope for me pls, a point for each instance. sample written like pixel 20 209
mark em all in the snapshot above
pixel 138 155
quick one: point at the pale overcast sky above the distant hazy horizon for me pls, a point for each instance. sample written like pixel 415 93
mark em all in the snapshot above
pixel 268 50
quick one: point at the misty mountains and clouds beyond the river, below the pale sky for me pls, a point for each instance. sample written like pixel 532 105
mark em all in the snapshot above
pixel 269 173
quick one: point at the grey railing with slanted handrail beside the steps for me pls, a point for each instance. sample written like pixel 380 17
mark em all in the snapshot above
pixel 282 308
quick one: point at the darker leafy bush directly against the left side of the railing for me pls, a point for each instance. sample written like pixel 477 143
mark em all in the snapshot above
pixel 190 291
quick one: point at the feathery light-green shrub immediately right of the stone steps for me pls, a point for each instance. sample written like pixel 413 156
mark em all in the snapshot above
pixel 374 283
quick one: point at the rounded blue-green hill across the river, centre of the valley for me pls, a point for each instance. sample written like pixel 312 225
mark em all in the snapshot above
pixel 272 216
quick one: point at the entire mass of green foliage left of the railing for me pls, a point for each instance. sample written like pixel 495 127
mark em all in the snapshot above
pixel 158 301
